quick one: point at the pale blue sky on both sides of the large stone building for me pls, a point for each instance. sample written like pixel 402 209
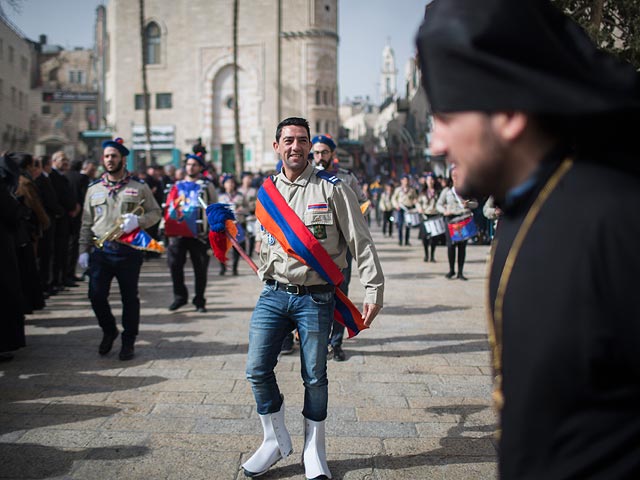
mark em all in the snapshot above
pixel 364 27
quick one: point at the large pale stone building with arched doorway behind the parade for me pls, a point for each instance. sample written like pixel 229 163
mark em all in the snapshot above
pixel 287 60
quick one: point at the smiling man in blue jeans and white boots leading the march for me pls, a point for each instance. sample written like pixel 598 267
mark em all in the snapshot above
pixel 296 296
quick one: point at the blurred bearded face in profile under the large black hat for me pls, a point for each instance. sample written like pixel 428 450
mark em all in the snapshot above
pixel 470 143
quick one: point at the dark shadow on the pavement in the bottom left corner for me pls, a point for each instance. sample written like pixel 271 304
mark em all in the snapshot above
pixel 25 460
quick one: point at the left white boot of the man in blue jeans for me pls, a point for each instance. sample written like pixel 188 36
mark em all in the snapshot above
pixel 276 444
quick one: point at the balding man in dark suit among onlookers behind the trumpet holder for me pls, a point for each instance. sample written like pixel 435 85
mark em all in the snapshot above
pixel 60 164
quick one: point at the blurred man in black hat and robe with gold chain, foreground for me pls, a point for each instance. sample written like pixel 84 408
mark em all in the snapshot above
pixel 531 112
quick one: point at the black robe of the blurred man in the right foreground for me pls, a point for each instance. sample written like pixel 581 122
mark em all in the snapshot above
pixel 571 330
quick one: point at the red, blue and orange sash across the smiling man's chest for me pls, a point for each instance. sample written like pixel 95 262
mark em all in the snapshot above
pixel 277 217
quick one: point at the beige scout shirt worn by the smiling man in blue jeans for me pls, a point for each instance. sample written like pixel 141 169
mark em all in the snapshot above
pixel 330 210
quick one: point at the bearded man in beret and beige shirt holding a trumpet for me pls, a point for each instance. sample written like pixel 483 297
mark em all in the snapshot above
pixel 111 201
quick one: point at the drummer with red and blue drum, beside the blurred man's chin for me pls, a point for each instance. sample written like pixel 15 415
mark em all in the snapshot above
pixel 451 205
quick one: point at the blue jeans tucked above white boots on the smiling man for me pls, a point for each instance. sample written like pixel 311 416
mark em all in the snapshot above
pixel 275 315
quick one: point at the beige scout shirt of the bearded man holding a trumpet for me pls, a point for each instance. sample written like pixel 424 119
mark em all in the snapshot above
pixel 102 210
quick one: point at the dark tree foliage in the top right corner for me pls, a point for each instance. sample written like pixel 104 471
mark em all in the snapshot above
pixel 613 24
